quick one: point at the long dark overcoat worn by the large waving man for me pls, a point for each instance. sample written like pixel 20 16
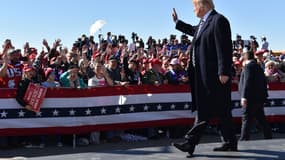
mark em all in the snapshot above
pixel 213 57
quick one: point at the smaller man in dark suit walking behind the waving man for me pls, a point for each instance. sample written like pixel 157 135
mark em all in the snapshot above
pixel 253 90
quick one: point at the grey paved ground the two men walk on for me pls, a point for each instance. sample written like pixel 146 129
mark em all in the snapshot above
pixel 256 149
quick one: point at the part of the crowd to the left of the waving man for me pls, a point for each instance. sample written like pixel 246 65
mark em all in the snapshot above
pixel 89 64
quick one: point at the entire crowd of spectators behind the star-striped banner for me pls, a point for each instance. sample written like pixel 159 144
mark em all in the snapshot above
pixel 113 61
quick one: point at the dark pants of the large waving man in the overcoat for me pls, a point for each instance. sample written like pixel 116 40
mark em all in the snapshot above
pixel 227 128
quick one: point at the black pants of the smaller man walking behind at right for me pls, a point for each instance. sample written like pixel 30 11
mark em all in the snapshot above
pixel 254 110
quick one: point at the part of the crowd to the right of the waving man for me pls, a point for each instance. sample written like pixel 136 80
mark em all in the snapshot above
pixel 273 65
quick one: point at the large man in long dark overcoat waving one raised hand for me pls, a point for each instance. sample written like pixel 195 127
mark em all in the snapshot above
pixel 210 74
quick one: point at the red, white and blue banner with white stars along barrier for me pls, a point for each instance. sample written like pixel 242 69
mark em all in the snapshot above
pixel 74 111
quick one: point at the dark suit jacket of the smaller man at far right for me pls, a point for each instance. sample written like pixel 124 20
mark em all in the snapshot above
pixel 253 84
